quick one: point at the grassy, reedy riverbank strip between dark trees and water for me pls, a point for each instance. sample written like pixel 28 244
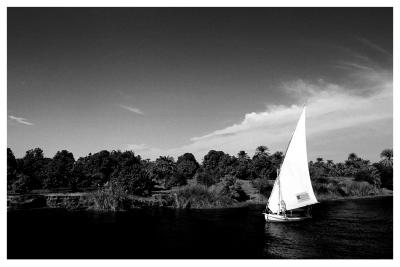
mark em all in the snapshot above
pixel 193 196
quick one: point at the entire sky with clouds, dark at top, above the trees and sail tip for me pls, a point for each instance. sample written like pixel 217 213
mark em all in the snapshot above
pixel 166 81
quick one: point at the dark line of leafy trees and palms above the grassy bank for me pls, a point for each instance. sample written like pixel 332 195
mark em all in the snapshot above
pixel 141 176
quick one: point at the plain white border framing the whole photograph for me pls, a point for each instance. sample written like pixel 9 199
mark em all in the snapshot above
pixel 121 3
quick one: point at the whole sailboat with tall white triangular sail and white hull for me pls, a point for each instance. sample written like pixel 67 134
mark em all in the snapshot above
pixel 292 195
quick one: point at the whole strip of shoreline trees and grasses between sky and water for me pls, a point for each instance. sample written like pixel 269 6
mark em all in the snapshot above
pixel 116 180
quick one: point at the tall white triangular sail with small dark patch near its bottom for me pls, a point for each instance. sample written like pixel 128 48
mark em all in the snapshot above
pixel 293 186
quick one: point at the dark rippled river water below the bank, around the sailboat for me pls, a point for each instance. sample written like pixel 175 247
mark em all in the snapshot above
pixel 339 229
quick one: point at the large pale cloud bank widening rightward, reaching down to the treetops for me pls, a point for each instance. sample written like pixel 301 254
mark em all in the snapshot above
pixel 341 118
